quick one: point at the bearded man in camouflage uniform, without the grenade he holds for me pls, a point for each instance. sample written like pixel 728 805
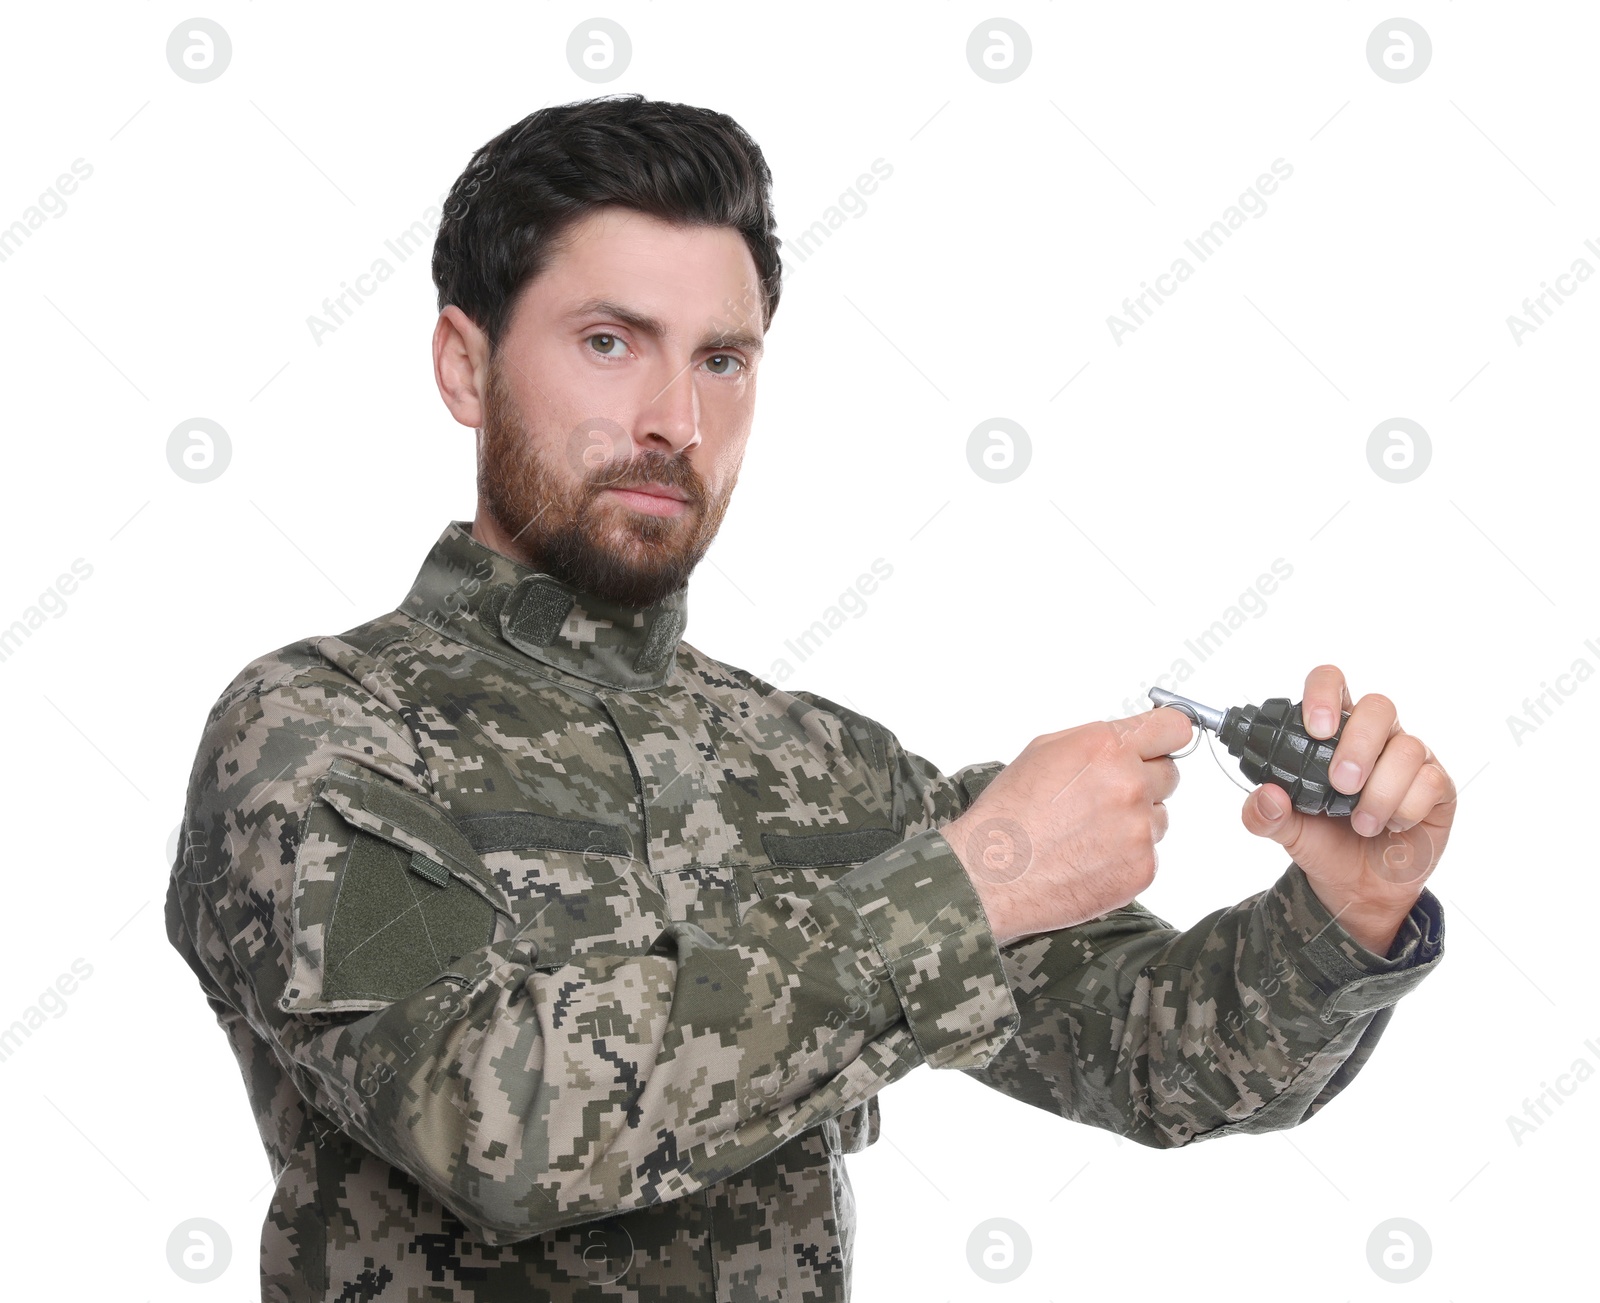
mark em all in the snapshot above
pixel 566 961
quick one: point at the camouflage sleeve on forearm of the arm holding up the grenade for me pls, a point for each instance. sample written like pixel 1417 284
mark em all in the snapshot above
pixel 1250 1020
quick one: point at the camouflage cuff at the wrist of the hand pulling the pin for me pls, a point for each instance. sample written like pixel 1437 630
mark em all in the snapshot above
pixel 934 936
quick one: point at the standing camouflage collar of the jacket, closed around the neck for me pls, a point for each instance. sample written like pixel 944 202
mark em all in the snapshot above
pixel 473 593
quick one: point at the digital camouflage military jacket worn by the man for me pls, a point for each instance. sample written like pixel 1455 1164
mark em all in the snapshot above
pixel 566 961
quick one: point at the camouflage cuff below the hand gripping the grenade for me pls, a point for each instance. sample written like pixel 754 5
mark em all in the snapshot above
pixel 1353 979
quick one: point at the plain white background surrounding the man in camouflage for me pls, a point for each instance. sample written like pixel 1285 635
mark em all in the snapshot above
pixel 1228 431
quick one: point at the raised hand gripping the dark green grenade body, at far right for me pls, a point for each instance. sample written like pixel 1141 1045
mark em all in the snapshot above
pixel 1370 868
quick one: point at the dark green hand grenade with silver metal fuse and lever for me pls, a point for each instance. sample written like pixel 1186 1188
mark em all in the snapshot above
pixel 1273 747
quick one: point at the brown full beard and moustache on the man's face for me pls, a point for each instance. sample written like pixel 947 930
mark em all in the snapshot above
pixel 593 543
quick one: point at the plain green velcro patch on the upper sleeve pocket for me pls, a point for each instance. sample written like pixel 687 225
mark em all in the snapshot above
pixel 393 936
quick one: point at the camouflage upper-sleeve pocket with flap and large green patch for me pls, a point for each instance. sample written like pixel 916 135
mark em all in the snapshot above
pixel 390 896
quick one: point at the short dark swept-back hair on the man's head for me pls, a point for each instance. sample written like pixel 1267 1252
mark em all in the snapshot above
pixel 526 188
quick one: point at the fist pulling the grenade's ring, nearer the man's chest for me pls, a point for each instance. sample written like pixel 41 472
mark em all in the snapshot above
pixel 1068 830
